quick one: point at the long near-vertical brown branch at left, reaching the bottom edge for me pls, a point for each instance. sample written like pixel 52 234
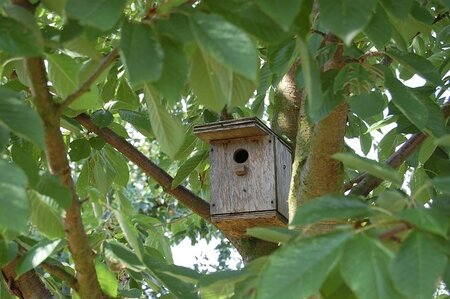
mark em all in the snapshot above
pixel 59 165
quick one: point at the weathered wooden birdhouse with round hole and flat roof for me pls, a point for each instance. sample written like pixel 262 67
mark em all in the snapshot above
pixel 250 175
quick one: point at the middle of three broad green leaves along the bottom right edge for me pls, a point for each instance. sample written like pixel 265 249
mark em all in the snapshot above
pixel 364 267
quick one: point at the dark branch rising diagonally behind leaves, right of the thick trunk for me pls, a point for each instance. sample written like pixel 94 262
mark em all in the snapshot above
pixel 366 183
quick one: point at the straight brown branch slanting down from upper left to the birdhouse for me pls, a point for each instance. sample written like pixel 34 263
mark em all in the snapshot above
pixel 184 195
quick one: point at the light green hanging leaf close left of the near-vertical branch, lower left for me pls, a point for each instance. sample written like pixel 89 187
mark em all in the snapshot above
pixel 45 216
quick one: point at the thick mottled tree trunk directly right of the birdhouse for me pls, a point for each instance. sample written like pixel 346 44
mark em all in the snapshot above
pixel 315 172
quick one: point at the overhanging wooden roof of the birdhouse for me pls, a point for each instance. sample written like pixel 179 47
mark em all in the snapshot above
pixel 231 129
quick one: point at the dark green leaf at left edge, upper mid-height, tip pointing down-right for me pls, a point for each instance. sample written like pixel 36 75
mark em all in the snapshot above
pixel 18 117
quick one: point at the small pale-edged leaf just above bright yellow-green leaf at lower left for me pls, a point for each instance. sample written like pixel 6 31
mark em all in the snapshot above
pixel 118 252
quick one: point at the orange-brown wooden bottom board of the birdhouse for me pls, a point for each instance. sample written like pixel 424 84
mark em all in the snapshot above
pixel 235 225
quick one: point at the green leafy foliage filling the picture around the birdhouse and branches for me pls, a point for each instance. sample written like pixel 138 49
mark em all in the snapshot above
pixel 183 63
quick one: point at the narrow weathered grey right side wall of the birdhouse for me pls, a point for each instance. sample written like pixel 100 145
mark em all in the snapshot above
pixel 283 160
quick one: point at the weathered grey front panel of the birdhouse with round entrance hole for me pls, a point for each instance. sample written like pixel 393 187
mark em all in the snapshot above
pixel 243 175
